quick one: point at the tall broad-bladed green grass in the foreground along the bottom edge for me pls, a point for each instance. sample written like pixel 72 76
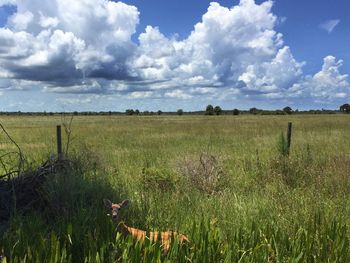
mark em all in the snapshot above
pixel 317 241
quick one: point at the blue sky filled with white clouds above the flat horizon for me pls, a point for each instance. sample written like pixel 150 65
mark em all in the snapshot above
pixel 100 55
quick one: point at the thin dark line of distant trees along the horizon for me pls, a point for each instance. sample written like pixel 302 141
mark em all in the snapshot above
pixel 209 110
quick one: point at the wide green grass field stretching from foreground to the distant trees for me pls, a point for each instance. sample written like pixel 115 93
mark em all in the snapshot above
pixel 220 180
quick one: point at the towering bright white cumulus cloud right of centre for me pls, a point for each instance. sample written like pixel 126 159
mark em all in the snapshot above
pixel 230 47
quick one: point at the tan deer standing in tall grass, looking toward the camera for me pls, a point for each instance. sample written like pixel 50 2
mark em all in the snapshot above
pixel 137 234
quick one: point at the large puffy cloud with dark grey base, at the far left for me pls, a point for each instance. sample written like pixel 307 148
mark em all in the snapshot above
pixel 65 42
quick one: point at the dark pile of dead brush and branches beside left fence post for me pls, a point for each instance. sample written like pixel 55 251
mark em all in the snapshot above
pixel 22 188
